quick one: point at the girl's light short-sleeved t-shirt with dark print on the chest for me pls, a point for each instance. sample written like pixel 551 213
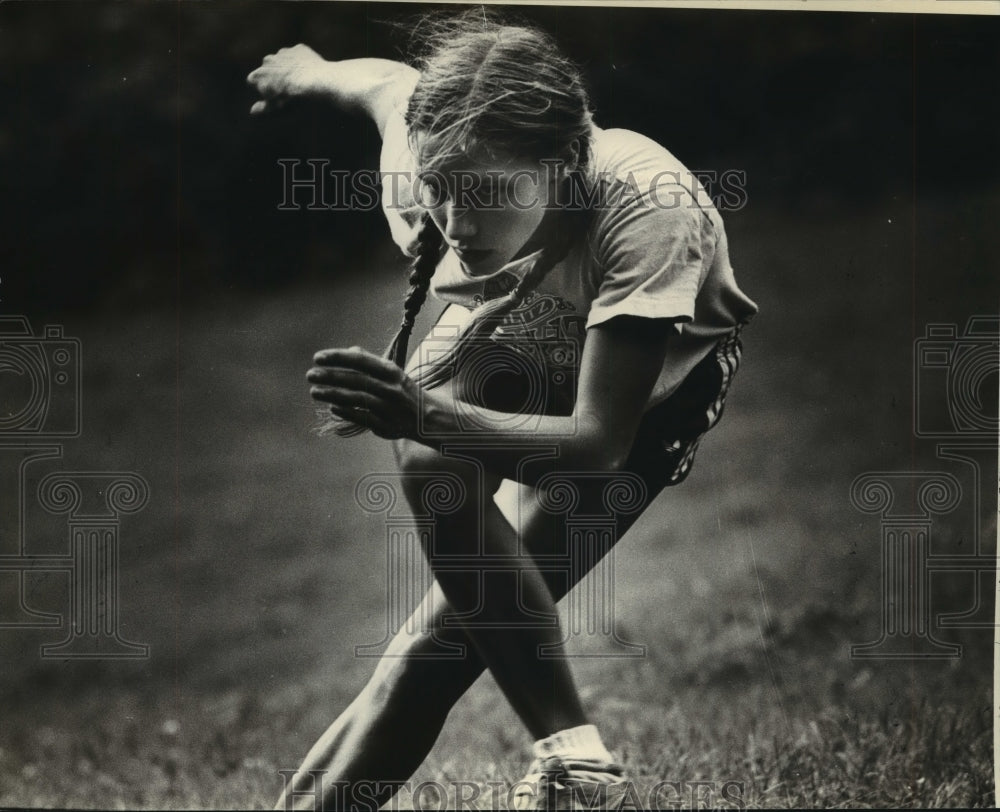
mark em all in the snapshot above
pixel 656 248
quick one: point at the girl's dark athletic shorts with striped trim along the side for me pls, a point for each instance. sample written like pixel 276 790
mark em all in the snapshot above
pixel 670 432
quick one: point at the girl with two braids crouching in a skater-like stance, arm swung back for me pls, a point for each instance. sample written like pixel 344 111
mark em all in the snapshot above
pixel 592 331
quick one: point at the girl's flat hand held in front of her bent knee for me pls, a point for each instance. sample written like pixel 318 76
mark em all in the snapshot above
pixel 368 390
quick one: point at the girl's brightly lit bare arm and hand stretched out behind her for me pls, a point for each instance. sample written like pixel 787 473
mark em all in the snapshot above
pixel 370 86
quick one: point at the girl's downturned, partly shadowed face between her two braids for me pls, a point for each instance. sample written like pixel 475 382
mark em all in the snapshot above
pixel 487 211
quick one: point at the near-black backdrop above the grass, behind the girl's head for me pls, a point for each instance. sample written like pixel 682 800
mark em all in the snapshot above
pixel 134 176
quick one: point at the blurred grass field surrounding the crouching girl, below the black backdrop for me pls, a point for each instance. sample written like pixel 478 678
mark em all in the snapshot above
pixel 253 574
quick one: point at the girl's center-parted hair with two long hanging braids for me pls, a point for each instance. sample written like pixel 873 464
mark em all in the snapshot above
pixel 504 90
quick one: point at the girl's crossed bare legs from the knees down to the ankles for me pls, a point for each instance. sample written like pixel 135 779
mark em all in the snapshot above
pixel 387 731
